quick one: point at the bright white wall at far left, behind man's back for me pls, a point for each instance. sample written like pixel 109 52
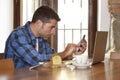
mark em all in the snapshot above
pixel 6 21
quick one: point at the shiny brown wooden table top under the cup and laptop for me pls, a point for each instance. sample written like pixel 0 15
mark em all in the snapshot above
pixel 107 70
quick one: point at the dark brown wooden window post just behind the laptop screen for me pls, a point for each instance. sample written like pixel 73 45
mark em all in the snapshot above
pixel 92 25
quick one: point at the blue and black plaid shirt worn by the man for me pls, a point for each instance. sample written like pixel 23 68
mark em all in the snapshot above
pixel 20 46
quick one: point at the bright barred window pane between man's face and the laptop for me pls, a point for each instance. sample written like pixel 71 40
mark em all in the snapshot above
pixel 74 22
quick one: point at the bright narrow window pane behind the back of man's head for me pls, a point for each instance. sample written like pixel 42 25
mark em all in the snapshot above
pixel 27 9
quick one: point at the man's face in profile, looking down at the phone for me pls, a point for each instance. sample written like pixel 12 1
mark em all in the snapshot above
pixel 48 29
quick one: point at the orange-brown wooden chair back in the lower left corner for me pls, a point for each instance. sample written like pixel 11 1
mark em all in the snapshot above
pixel 6 66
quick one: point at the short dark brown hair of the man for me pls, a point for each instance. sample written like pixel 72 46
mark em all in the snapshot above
pixel 45 13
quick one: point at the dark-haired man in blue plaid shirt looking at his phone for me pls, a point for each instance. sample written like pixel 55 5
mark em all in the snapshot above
pixel 27 44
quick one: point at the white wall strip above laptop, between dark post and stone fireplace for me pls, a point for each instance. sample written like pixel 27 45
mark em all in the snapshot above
pixel 103 16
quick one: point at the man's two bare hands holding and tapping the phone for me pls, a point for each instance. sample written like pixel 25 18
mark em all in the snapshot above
pixel 73 49
